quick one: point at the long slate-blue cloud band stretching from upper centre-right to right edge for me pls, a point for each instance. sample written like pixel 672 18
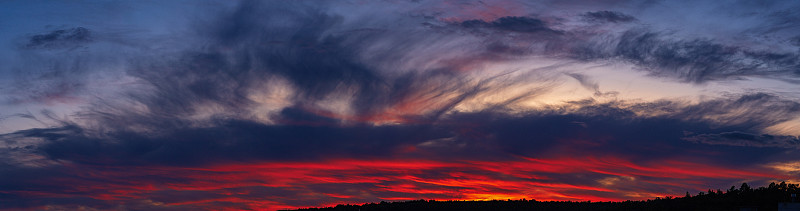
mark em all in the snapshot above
pixel 663 54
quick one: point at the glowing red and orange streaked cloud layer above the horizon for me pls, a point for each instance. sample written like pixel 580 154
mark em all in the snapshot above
pixel 279 185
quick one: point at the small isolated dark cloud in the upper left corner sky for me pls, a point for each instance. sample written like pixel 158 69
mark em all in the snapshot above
pixel 62 38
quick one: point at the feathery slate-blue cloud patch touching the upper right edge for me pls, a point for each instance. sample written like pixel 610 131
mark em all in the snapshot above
pixel 699 60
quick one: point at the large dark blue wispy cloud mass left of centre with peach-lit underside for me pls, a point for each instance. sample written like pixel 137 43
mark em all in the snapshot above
pixel 324 69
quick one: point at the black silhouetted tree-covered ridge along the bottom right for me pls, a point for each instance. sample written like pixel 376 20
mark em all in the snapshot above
pixel 743 198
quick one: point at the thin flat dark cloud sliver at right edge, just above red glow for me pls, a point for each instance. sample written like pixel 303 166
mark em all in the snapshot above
pixel 737 138
